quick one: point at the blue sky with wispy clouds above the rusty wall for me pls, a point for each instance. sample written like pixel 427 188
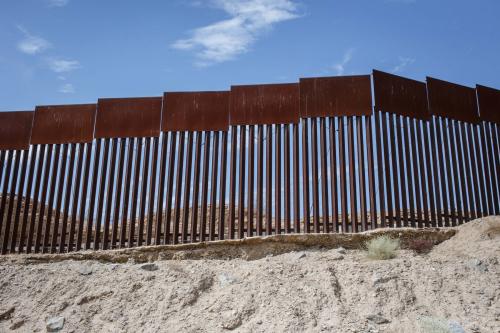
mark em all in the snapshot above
pixel 75 51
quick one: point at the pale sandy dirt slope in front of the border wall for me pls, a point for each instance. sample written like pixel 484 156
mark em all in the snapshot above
pixel 308 290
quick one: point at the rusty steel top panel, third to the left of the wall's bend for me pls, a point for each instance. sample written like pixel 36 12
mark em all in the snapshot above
pixel 195 111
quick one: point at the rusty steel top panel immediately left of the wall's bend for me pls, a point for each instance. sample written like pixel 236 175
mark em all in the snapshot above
pixel 335 96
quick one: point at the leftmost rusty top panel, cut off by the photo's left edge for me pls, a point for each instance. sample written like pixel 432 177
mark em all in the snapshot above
pixel 15 129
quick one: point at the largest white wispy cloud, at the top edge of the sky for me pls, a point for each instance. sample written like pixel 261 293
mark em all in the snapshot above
pixel 226 39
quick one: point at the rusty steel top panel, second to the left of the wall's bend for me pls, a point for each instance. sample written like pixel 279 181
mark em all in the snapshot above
pixel 264 104
